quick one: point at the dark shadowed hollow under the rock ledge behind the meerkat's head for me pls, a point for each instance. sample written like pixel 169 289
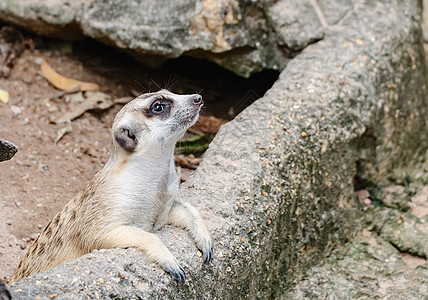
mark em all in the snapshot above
pixel 224 93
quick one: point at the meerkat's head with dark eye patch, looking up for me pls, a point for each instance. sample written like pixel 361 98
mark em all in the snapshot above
pixel 155 118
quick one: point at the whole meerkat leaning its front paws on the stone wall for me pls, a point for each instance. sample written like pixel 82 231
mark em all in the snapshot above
pixel 135 193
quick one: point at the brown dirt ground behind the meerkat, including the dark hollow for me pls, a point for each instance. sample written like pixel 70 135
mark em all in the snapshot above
pixel 44 175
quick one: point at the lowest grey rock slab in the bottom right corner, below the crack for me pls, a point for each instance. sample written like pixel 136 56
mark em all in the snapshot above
pixel 368 268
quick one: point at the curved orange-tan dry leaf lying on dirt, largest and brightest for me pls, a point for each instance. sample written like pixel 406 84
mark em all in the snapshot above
pixel 64 83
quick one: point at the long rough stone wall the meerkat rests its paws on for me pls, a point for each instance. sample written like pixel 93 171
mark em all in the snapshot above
pixel 276 186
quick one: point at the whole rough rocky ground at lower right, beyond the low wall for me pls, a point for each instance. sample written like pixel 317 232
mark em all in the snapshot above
pixel 387 260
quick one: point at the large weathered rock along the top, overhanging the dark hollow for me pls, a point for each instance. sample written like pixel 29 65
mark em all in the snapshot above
pixel 243 36
